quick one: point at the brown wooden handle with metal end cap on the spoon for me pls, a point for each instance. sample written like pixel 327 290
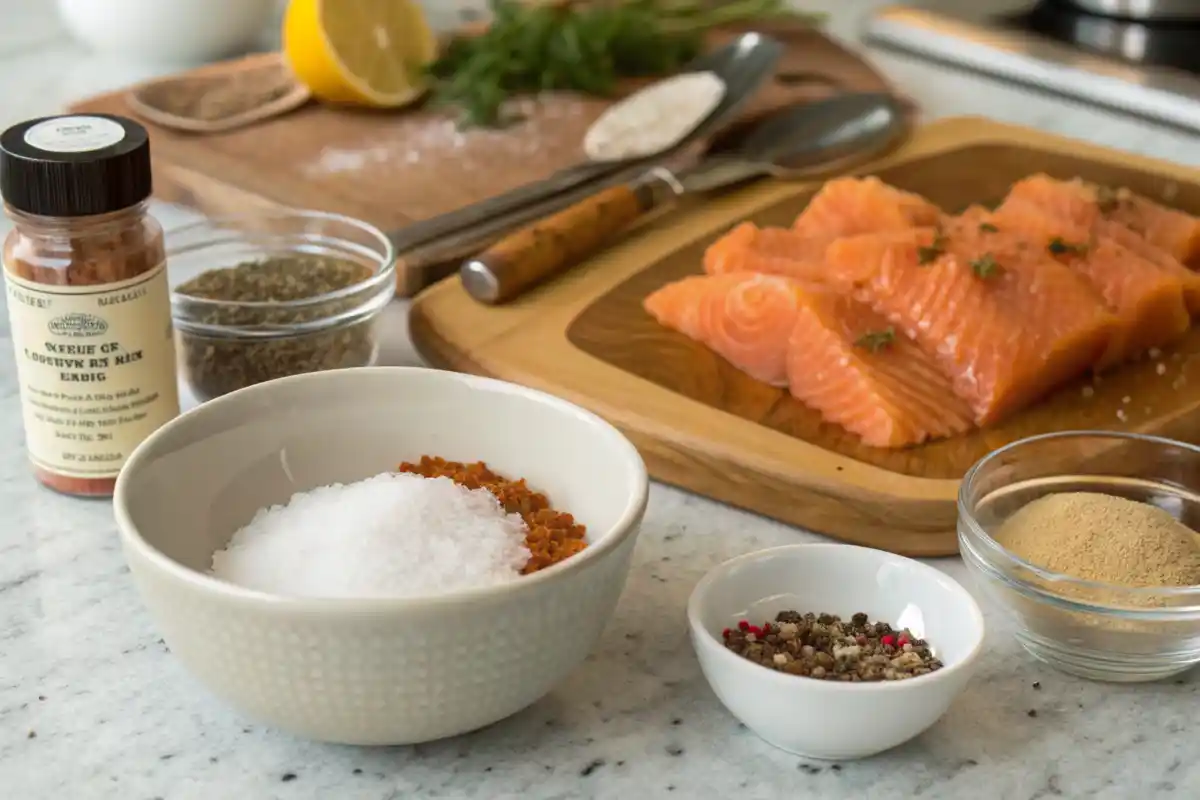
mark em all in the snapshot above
pixel 555 244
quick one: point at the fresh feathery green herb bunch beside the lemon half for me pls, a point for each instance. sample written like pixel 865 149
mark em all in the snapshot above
pixel 579 46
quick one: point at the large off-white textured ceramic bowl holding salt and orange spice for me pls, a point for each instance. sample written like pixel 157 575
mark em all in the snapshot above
pixel 375 672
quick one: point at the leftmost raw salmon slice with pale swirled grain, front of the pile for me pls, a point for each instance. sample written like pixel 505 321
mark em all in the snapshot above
pixel 745 317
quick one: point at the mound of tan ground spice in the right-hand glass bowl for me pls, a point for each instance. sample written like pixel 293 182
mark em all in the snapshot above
pixel 1105 538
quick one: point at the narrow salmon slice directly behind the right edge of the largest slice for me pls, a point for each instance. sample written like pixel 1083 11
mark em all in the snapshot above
pixel 1147 300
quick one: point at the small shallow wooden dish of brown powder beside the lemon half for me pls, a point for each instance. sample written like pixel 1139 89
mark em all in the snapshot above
pixel 266 74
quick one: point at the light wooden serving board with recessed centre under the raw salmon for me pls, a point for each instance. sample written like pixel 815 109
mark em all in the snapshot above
pixel 703 425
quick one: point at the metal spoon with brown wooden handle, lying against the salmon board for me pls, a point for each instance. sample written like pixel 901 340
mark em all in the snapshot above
pixel 797 143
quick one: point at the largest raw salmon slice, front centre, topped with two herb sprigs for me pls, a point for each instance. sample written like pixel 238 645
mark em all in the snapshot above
pixel 1005 321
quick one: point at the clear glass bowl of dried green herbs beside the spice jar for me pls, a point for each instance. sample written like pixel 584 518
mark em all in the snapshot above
pixel 225 346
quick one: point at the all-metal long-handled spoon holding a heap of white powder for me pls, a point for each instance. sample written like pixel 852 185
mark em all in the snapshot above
pixel 745 65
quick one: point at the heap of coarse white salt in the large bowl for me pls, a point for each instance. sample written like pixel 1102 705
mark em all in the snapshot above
pixel 393 536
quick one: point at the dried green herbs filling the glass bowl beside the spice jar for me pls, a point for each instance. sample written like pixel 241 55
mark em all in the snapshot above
pixel 218 364
